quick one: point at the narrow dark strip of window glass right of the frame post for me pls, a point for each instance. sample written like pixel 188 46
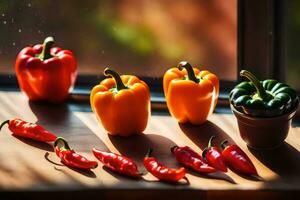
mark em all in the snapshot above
pixel 293 41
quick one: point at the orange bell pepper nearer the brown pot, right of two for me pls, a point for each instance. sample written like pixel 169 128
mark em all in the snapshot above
pixel 191 94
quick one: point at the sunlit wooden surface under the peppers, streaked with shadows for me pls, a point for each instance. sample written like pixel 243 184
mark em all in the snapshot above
pixel 23 167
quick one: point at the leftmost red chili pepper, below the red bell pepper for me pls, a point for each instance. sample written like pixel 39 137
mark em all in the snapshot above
pixel 29 130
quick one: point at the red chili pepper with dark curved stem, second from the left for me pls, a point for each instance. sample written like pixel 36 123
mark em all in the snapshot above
pixel 70 158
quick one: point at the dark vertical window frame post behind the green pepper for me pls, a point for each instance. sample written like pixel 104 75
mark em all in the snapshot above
pixel 262 51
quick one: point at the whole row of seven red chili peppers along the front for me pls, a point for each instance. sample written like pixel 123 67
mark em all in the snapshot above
pixel 214 158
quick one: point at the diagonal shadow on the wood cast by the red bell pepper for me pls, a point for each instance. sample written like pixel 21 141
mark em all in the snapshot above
pixel 59 119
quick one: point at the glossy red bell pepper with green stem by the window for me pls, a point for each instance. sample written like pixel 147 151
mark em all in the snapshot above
pixel 45 73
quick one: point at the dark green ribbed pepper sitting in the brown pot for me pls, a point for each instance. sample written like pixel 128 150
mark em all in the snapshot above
pixel 266 98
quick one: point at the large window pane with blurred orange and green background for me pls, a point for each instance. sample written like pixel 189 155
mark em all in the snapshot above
pixel 143 37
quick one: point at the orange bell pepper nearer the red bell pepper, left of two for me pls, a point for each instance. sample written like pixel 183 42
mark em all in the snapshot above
pixel 121 104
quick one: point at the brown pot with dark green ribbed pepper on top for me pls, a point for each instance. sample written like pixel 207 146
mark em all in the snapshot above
pixel 264 110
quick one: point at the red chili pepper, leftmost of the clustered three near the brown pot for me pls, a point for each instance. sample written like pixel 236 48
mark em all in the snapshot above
pixel 189 158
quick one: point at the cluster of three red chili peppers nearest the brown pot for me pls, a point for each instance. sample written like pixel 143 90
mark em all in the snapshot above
pixel 214 159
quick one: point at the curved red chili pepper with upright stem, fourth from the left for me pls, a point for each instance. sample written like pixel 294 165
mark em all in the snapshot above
pixel 162 172
